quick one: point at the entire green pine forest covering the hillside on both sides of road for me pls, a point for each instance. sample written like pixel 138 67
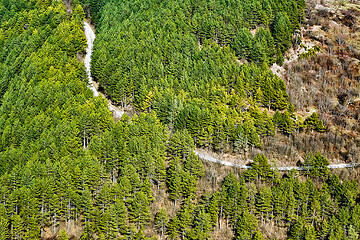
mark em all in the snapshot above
pixel 196 75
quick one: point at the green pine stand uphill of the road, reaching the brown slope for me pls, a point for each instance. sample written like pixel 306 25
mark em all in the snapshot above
pixel 179 59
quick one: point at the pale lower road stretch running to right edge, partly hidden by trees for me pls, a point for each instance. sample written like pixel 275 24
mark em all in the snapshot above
pixel 215 160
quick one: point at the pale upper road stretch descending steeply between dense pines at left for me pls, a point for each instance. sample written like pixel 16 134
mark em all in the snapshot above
pixel 90 37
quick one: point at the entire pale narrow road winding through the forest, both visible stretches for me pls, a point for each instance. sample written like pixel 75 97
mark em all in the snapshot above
pixel 90 37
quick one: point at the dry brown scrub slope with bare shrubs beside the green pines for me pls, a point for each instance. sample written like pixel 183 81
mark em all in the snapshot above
pixel 328 83
